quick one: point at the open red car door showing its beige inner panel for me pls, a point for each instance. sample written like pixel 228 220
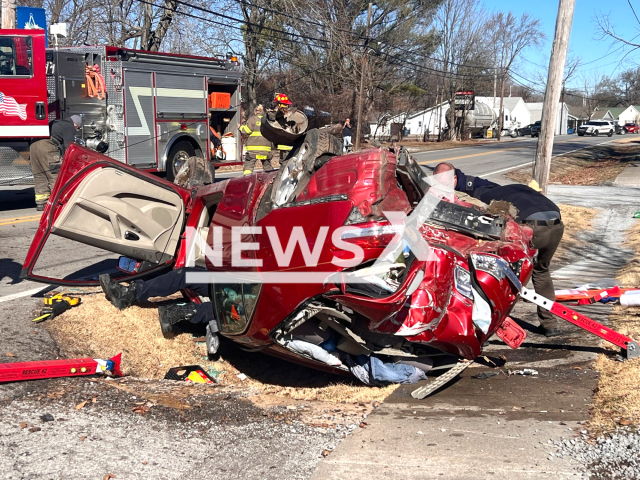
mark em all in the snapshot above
pixel 104 203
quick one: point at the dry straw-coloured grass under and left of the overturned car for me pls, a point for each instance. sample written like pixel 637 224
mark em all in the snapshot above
pixel 97 329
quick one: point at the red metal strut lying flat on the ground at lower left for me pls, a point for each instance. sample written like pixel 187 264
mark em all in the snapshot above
pixel 13 372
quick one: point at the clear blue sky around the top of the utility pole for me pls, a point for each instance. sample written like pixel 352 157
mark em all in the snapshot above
pixel 584 39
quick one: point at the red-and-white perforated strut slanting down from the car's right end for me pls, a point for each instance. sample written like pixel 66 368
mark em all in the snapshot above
pixel 629 345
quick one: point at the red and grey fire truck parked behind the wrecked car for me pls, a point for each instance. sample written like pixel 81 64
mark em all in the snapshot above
pixel 146 109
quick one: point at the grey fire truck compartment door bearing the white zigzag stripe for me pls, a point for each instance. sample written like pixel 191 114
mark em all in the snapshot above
pixel 140 118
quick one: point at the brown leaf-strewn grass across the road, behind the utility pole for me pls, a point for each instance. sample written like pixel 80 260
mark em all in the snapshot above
pixel 599 165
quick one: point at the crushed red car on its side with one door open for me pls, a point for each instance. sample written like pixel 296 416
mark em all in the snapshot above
pixel 426 296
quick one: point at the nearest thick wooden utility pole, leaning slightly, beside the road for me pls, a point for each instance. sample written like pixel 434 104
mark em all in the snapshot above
pixel 552 93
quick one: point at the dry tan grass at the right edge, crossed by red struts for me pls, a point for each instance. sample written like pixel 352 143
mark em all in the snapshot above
pixel 617 397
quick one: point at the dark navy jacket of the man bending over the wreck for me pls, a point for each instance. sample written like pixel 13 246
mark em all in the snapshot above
pixel 524 198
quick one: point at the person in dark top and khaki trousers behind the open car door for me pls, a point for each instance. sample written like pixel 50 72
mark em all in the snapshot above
pixel 46 156
